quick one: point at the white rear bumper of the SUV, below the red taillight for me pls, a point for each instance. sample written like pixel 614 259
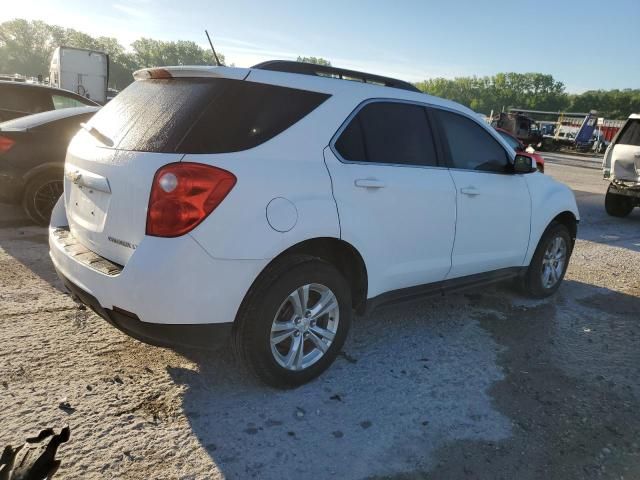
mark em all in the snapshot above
pixel 166 282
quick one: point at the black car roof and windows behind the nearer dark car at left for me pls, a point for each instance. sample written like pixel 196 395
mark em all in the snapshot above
pixel 18 99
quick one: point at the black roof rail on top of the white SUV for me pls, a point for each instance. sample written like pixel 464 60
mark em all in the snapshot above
pixel 333 72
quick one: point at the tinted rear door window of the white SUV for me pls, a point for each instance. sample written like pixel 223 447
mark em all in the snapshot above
pixel 389 133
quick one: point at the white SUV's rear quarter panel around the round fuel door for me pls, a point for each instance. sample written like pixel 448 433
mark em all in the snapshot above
pixel 289 166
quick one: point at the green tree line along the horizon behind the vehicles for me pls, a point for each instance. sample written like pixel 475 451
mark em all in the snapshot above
pixel 26 48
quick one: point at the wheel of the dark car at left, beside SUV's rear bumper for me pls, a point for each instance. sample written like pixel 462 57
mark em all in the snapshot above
pixel 41 195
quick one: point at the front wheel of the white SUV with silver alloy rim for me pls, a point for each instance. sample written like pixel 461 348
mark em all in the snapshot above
pixel 549 263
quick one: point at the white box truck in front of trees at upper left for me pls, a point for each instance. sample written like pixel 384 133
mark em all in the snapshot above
pixel 85 72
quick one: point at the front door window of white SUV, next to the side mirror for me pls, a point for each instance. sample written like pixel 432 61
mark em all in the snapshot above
pixel 470 146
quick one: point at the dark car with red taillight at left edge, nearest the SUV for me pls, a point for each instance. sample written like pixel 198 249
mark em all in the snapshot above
pixel 32 152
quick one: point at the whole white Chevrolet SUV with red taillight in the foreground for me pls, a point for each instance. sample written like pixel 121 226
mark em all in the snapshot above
pixel 272 202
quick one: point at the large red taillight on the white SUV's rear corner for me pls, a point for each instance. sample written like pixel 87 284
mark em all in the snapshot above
pixel 183 195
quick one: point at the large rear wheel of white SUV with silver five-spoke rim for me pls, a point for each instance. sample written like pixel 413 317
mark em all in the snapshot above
pixel 294 321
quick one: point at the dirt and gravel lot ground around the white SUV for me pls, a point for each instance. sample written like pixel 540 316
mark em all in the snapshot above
pixel 483 384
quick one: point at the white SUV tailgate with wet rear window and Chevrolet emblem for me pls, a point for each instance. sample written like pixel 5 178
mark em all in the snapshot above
pixel 111 162
